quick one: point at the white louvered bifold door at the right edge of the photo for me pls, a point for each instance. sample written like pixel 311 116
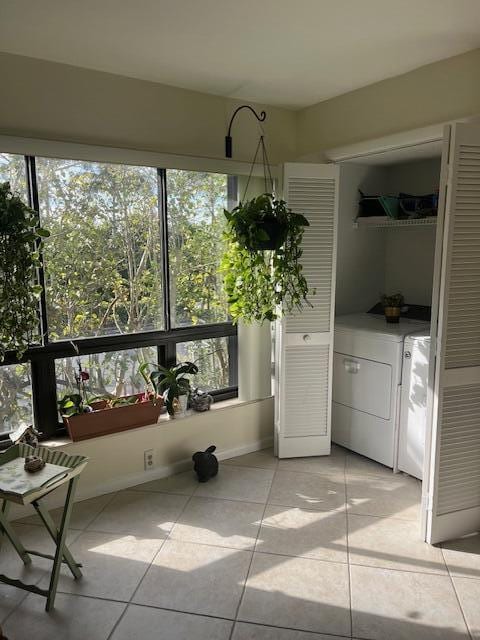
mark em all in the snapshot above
pixel 454 473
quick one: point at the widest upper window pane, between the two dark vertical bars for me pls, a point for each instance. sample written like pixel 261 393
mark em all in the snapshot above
pixel 103 260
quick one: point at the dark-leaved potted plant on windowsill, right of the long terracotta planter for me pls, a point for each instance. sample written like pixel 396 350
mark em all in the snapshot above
pixel 171 383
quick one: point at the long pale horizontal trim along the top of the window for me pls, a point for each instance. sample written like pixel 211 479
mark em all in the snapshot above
pixel 95 153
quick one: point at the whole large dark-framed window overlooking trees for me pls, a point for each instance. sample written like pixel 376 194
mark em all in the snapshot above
pixel 131 275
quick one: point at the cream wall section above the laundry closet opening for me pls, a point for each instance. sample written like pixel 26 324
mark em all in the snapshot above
pixel 439 92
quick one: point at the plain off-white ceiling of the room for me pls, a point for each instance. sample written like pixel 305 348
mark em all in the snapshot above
pixel 290 53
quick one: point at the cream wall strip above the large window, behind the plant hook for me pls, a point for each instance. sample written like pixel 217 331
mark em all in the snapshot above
pixel 55 101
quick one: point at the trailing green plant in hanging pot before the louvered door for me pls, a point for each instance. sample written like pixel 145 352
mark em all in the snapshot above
pixel 263 275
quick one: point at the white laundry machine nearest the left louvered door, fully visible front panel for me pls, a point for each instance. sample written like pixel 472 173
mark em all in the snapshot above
pixel 367 377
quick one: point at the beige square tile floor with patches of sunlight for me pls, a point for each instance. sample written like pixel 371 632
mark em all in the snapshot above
pixel 308 549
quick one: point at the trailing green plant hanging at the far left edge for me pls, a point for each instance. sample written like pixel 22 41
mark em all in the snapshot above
pixel 20 240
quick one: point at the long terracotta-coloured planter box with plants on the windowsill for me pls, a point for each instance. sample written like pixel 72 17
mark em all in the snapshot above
pixel 87 417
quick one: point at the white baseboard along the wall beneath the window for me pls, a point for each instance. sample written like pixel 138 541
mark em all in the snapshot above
pixel 127 481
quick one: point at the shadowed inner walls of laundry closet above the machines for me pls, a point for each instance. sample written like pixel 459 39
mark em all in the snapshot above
pixel 370 261
